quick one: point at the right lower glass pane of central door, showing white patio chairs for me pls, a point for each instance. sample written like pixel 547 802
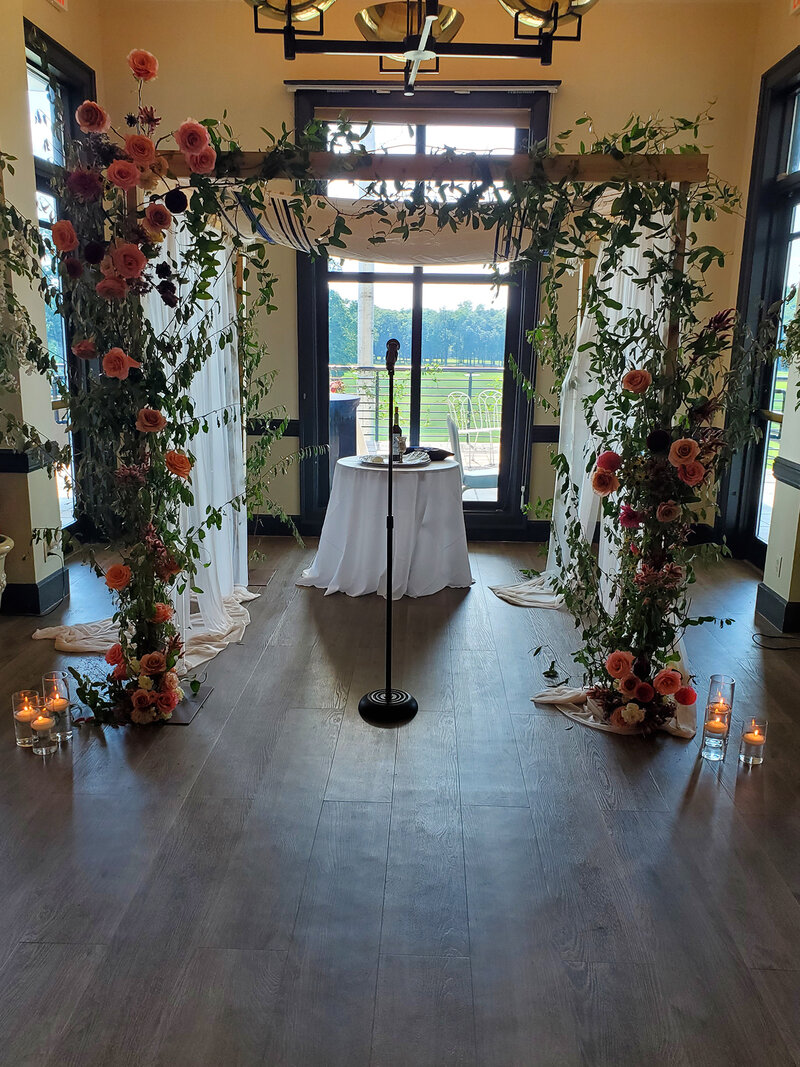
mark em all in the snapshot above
pixel 463 359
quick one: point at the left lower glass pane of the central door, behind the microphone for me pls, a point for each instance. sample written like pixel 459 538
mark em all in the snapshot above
pixel 362 318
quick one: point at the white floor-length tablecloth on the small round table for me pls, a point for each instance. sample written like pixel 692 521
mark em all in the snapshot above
pixel 430 539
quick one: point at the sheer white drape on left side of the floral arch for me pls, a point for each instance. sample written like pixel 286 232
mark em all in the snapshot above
pixel 212 619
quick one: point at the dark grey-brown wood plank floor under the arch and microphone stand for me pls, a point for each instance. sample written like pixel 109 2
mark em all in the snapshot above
pixel 279 884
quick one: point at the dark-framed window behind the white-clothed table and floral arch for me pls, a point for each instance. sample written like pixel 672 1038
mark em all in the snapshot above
pixel 455 325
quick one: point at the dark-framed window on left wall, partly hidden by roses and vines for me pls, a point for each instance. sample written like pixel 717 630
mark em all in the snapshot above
pixel 57 84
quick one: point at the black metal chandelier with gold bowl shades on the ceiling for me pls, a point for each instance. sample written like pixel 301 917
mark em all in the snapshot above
pixel 424 29
